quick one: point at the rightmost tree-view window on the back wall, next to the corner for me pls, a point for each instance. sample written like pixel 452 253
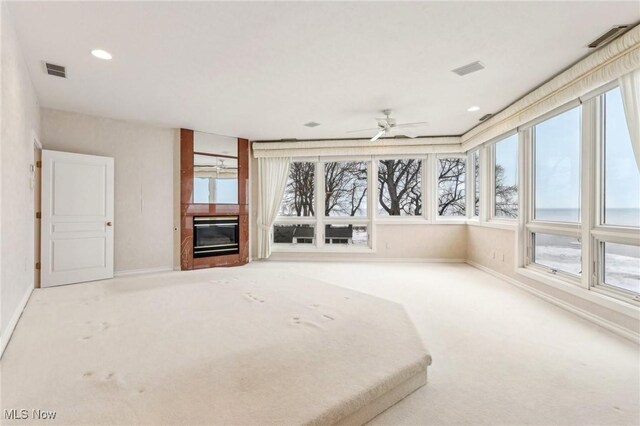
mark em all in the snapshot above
pixel 451 186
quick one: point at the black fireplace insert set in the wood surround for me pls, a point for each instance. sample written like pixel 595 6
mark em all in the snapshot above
pixel 215 236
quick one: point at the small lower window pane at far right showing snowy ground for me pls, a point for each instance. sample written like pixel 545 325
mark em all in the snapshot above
pixel 621 266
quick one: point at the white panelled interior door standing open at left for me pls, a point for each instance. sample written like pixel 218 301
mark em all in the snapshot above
pixel 77 218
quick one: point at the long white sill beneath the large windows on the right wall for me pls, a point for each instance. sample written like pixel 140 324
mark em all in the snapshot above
pixel 626 307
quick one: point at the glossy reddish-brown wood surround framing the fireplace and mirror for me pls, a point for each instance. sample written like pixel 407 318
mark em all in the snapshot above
pixel 188 209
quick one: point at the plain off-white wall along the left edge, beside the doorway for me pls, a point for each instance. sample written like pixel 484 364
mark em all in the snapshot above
pixel 20 119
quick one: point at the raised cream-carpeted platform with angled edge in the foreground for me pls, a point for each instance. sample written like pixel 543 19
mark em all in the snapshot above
pixel 228 346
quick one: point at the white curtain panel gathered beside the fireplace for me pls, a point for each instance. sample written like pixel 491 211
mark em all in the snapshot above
pixel 272 179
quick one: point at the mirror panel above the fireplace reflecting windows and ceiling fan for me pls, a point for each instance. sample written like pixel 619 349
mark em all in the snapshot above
pixel 215 169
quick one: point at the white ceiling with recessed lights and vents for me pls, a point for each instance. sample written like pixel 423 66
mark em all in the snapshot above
pixel 262 70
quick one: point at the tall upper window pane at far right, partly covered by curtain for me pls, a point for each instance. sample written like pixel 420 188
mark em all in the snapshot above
pixel 621 174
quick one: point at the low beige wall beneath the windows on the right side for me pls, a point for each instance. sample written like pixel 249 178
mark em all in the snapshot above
pixel 483 242
